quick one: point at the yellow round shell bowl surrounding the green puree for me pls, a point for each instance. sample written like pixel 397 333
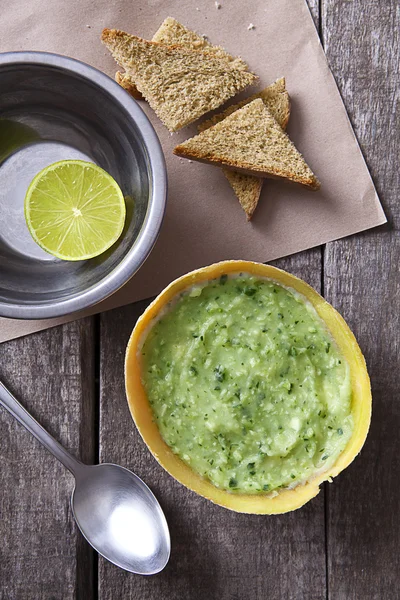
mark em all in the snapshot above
pixel 286 499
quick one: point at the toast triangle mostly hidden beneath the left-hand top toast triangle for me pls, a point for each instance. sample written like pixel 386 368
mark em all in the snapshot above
pixel 172 33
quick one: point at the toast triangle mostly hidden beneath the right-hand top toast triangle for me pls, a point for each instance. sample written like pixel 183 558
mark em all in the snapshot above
pixel 247 187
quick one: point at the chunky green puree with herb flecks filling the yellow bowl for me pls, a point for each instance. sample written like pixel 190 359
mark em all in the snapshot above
pixel 247 386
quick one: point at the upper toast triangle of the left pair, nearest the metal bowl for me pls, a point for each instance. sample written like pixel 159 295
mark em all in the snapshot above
pixel 180 84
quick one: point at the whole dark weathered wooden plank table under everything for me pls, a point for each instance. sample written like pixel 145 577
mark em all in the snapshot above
pixel 345 544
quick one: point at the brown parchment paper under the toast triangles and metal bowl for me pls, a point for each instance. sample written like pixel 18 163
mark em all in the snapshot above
pixel 204 222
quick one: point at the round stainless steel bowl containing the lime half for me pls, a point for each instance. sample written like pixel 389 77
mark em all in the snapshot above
pixel 55 108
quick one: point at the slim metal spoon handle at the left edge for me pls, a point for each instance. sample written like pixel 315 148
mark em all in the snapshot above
pixel 22 415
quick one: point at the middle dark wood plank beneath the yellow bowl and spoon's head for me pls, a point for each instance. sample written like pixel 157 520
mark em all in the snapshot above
pixel 215 553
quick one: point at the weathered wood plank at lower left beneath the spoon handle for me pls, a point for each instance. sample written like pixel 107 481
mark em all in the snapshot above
pixel 42 555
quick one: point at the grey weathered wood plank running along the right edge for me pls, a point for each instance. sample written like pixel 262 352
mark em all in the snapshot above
pixel 362 281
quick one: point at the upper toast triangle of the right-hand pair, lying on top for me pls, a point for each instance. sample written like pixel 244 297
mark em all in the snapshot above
pixel 250 141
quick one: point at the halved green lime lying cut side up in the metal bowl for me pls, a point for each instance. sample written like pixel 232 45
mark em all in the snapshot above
pixel 74 210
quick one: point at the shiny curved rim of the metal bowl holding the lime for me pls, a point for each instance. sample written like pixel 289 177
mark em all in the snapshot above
pixel 149 231
